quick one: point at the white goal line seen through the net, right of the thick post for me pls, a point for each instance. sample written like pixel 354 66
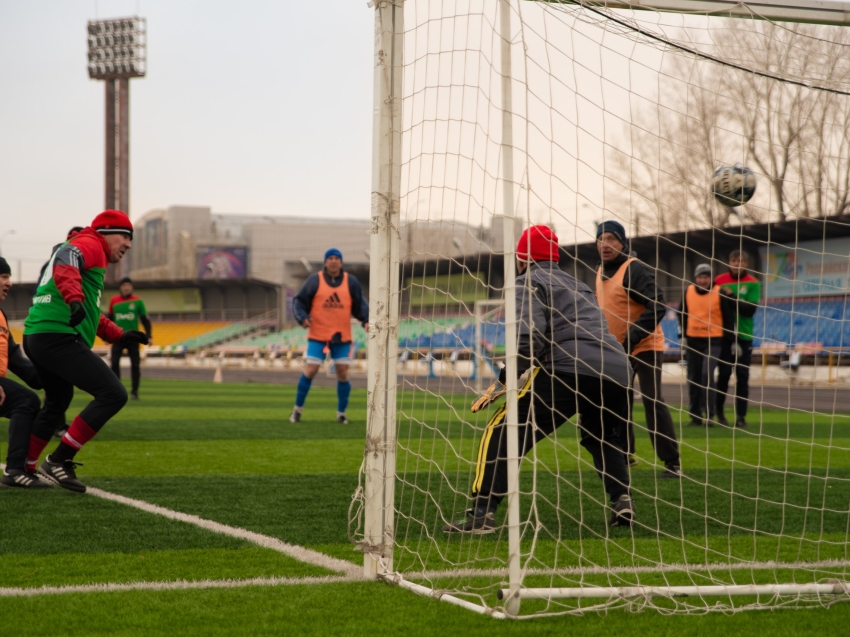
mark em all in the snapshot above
pixel 605 570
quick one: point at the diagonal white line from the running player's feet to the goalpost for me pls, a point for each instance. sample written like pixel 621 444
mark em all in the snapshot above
pixel 300 553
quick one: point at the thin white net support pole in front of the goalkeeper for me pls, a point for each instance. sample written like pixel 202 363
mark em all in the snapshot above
pixel 508 217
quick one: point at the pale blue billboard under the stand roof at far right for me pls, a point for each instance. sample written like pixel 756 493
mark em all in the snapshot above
pixel 808 268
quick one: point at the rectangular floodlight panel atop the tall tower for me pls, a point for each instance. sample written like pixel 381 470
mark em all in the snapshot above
pixel 117 48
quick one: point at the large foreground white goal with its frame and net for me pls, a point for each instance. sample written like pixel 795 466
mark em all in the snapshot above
pixel 495 115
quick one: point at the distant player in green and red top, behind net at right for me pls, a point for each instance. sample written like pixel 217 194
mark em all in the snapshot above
pixel 744 292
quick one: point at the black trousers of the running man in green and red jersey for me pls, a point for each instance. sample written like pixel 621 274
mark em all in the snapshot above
pixel 63 362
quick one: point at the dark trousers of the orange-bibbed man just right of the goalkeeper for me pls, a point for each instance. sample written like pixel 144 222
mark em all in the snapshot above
pixel 659 422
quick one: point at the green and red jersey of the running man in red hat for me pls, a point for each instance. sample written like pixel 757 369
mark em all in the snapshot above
pixel 75 273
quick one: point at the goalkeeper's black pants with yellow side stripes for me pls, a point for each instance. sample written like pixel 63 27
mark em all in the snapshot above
pixel 548 400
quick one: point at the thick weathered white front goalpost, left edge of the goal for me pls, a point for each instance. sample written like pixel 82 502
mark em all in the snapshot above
pixel 380 453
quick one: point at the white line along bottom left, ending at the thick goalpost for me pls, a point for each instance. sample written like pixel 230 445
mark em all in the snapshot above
pixel 171 586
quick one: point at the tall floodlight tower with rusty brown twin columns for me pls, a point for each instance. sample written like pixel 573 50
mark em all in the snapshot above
pixel 117 52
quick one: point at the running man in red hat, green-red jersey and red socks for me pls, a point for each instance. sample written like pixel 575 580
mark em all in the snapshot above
pixel 58 335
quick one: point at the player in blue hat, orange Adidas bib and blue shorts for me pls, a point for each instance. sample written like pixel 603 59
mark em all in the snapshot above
pixel 325 305
